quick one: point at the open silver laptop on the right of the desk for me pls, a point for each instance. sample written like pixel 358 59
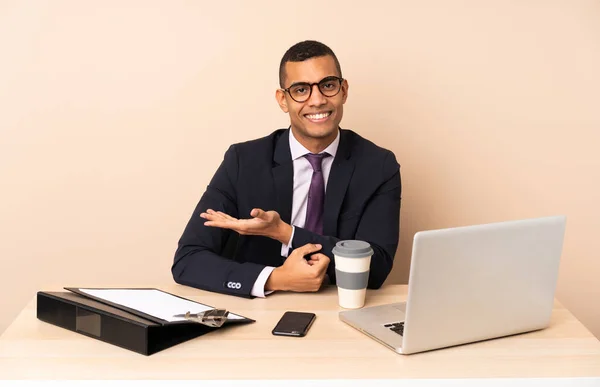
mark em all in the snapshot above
pixel 469 284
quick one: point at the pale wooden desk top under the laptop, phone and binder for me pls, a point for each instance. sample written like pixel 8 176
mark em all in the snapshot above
pixel 32 349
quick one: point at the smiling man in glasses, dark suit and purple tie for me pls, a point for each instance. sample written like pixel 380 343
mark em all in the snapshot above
pixel 276 206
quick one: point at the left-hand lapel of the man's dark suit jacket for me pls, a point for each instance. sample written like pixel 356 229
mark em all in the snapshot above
pixel 283 174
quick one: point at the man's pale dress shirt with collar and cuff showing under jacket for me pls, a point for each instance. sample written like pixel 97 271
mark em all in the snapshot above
pixel 302 178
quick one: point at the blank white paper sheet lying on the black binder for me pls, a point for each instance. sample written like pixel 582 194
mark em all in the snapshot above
pixel 153 302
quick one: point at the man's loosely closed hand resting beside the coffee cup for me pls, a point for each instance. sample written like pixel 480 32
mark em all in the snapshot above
pixel 299 275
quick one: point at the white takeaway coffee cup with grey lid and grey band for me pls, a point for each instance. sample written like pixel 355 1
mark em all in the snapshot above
pixel 352 261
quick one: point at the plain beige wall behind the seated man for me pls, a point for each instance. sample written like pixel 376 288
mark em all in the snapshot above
pixel 115 114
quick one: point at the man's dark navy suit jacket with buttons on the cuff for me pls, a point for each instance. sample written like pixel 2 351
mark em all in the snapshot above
pixel 362 201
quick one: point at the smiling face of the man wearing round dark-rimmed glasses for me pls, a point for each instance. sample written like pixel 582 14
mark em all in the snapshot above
pixel 319 116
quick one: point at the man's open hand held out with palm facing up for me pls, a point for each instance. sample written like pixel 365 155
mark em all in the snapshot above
pixel 264 223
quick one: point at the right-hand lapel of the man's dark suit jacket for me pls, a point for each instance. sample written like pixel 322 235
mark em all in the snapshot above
pixel 339 178
